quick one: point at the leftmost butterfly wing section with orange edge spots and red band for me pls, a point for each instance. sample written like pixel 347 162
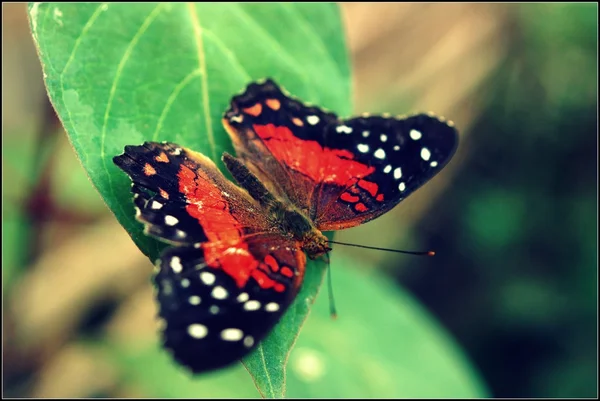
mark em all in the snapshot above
pixel 183 199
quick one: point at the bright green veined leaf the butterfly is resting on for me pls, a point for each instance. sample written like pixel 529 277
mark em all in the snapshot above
pixel 119 74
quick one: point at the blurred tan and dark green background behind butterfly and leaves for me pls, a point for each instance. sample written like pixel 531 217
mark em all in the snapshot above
pixel 513 218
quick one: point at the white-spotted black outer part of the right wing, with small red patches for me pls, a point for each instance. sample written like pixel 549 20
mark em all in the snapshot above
pixel 402 154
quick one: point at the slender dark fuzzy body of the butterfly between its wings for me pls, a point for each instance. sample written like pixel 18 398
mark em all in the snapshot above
pixel 288 218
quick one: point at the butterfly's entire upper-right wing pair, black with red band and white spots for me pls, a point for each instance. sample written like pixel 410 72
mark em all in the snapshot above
pixel 341 173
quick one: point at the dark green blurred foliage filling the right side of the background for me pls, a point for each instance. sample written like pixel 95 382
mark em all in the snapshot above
pixel 520 229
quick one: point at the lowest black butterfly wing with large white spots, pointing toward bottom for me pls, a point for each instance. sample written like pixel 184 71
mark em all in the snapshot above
pixel 212 318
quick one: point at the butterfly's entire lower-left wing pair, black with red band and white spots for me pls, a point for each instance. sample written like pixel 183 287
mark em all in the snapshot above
pixel 230 275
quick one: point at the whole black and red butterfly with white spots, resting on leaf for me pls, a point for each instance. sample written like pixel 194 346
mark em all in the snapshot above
pixel 237 253
